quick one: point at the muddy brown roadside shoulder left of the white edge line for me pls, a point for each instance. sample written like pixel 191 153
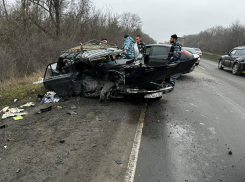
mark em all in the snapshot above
pixel 56 146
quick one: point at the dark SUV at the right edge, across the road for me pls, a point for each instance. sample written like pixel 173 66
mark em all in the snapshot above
pixel 234 60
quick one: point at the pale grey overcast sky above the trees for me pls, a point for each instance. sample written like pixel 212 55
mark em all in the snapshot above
pixel 162 18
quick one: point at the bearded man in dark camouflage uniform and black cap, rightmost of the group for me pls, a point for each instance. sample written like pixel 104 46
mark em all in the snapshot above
pixel 174 56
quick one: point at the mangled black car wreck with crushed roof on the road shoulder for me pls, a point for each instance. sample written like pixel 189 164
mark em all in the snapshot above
pixel 104 73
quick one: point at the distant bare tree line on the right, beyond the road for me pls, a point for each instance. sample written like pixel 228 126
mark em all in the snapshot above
pixel 219 39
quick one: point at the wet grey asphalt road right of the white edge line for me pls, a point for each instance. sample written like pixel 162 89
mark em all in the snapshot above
pixel 189 134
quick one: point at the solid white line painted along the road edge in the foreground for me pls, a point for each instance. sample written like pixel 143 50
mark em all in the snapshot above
pixel 135 149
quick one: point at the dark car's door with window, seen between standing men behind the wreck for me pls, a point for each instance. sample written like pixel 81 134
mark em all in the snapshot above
pixel 158 55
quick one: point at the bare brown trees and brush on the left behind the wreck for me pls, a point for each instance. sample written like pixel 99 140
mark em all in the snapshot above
pixel 33 32
